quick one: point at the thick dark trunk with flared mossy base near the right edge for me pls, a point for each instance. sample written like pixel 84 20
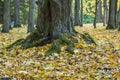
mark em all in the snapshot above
pixel 112 15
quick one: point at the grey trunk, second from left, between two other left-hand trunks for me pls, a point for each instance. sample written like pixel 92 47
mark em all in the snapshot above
pixel 17 13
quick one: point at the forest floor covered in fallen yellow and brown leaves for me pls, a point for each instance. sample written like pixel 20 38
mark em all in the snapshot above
pixel 89 62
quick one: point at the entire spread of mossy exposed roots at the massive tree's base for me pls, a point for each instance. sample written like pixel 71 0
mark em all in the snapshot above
pixel 68 39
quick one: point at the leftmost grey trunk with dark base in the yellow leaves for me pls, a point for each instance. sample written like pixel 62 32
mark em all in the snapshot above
pixel 6 16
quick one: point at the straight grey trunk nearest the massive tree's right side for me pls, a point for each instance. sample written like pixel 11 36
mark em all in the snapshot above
pixel 77 12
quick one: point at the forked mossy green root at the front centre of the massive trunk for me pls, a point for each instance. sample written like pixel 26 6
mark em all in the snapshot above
pixel 67 39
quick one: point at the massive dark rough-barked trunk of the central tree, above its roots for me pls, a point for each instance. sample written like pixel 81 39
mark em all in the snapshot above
pixel 55 17
